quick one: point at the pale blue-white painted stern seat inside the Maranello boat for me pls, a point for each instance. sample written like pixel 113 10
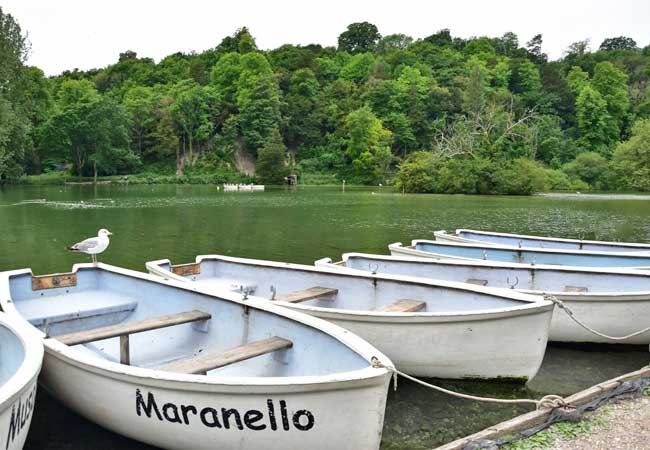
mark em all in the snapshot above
pixel 44 311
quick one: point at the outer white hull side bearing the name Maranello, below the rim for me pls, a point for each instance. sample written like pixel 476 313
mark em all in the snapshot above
pixel 181 415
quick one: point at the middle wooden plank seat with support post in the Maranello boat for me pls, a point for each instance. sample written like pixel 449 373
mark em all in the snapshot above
pixel 97 334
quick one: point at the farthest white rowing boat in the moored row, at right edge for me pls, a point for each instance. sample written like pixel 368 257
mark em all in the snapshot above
pixel 521 240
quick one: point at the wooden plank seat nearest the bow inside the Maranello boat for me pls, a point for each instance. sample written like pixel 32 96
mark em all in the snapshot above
pixel 204 363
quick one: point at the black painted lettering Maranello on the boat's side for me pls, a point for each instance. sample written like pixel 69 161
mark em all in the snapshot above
pixel 253 419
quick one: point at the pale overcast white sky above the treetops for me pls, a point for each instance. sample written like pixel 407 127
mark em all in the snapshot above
pixel 85 34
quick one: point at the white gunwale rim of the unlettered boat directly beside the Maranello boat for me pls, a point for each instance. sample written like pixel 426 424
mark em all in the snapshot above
pixel 533 304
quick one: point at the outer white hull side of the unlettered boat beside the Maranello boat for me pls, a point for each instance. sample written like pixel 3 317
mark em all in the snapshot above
pixel 495 346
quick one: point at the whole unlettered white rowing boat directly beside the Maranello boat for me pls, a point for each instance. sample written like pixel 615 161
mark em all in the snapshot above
pixel 430 329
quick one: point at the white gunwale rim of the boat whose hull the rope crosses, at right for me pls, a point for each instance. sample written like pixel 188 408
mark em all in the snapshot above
pixel 631 296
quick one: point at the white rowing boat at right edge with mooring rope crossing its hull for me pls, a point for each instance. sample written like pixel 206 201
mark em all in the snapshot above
pixel 615 302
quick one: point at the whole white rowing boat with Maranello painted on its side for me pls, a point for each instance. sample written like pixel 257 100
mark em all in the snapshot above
pixel 178 368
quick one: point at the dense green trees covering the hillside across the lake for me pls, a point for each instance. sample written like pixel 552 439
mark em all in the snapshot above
pixel 439 114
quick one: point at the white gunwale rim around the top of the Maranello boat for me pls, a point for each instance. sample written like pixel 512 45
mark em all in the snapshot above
pixel 370 374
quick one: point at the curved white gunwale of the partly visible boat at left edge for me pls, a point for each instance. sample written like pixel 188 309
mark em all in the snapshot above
pixel 29 367
